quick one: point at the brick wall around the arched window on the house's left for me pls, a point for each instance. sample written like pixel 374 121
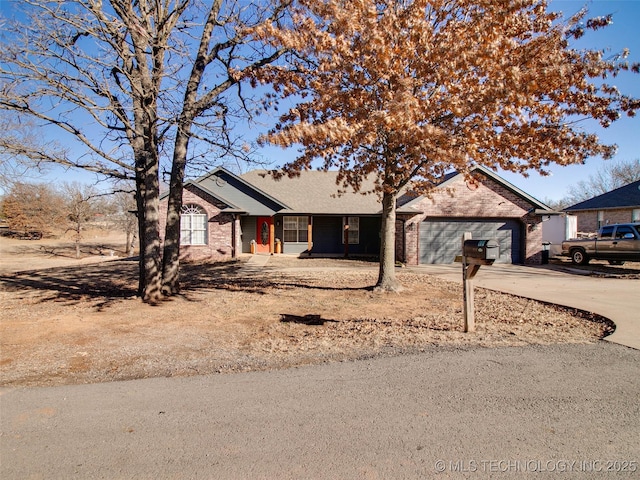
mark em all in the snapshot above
pixel 219 228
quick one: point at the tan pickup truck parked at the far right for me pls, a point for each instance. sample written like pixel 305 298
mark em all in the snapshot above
pixel 617 243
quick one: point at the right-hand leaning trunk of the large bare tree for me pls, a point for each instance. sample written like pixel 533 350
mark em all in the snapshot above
pixel 171 254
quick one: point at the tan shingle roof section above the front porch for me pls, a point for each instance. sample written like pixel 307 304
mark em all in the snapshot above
pixel 315 192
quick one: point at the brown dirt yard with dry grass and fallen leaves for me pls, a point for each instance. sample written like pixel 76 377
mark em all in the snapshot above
pixel 68 321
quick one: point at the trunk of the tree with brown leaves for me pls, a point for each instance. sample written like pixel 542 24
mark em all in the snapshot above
pixel 387 274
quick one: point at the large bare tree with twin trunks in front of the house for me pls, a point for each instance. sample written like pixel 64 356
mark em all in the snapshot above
pixel 133 88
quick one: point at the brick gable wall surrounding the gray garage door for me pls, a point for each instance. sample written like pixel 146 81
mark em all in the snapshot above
pixel 489 200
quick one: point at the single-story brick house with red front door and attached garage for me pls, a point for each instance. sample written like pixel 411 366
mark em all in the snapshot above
pixel 226 214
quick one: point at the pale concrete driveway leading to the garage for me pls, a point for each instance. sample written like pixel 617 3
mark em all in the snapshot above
pixel 613 298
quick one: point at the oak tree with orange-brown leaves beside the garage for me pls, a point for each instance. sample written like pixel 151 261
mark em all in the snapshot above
pixel 407 90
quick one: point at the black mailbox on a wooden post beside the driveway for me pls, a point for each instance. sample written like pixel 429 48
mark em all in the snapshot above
pixel 475 253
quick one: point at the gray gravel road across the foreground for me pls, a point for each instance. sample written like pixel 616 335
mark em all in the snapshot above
pixel 558 411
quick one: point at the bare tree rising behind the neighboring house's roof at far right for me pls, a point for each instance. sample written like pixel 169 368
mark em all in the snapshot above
pixel 609 177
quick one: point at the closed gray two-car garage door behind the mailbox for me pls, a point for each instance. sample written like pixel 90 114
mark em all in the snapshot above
pixel 440 239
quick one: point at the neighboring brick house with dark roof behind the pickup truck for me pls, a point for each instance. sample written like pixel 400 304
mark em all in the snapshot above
pixel 621 205
